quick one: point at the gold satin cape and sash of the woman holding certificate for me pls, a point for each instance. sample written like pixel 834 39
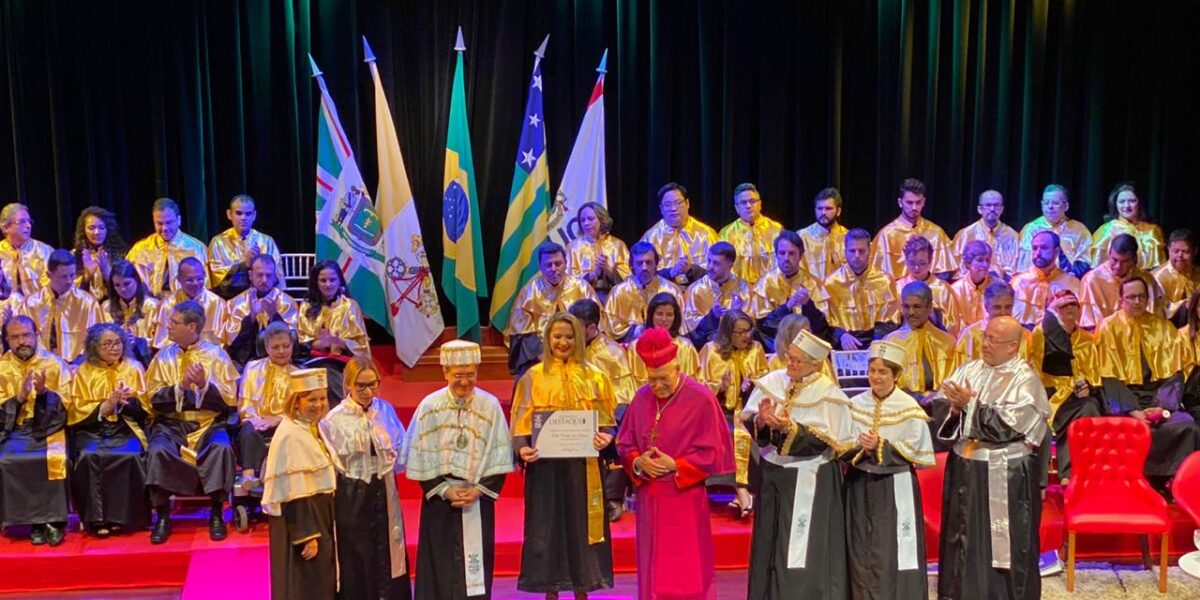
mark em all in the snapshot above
pixel 568 387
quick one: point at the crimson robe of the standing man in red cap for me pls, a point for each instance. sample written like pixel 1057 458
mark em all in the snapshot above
pixel 675 544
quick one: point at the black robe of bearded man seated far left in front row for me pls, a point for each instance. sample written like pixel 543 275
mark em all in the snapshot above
pixel 27 494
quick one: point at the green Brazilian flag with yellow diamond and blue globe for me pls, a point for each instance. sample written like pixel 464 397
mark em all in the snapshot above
pixel 463 269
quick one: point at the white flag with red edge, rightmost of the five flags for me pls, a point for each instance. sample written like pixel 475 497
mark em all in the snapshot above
pixel 585 177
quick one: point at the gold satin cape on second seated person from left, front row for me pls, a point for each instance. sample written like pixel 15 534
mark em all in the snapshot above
pixel 92 386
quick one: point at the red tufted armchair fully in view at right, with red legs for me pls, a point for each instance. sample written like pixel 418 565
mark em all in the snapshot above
pixel 1108 493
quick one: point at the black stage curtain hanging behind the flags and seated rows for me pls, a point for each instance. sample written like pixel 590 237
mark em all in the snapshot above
pixel 119 103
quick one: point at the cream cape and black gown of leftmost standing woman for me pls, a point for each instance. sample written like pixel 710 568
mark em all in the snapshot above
pixel 298 499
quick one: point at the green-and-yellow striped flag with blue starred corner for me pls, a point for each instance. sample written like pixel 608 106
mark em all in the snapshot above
pixel 525 227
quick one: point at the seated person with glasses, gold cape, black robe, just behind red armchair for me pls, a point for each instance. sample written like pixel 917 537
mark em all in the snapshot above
pixel 1143 377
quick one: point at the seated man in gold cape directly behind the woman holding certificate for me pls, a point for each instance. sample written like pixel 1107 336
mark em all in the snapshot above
pixel 551 292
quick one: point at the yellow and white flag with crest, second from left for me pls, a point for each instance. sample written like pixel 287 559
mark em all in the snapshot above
pixel 413 310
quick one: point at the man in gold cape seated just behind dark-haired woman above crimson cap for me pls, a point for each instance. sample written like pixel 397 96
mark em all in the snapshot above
pixel 628 302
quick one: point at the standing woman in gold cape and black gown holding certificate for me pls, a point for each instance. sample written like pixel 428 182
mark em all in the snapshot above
pixel 567 544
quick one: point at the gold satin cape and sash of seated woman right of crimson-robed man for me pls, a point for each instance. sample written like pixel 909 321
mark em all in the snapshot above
pixel 743 365
